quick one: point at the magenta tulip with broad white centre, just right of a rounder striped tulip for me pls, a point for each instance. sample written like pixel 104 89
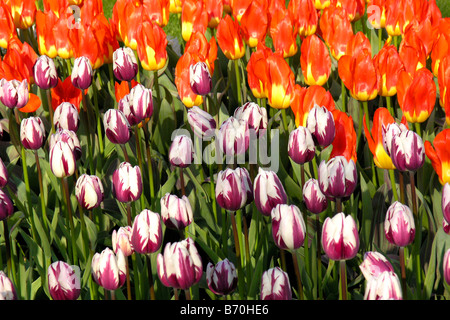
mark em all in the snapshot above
pixel 127 182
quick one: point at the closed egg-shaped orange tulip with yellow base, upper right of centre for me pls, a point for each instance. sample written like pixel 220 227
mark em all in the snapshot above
pixel 315 61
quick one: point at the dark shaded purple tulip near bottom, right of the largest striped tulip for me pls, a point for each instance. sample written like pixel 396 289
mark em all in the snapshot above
pixel 222 277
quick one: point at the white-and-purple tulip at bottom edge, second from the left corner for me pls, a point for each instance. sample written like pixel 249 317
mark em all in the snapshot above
pixel 63 282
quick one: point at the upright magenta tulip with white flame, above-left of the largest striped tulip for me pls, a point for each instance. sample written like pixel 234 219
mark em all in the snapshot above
pixel 146 232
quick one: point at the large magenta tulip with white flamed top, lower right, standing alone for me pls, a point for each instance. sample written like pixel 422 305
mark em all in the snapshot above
pixel 340 239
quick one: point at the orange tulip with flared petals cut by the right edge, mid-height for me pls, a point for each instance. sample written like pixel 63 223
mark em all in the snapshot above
pixel 440 155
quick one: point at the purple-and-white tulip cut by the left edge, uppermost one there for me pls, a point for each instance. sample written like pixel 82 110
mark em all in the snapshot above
pixel 14 93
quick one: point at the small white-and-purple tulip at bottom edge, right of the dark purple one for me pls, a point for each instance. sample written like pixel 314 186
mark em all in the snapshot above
pixel 275 285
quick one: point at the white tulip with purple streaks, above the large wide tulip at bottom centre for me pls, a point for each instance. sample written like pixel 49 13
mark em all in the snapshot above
pixel 176 213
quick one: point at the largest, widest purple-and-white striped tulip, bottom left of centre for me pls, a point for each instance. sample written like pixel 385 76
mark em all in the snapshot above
pixel 180 265
